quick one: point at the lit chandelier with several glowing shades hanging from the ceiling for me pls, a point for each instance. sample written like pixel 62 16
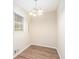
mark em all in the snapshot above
pixel 36 11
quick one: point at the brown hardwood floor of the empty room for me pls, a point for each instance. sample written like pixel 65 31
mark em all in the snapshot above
pixel 38 52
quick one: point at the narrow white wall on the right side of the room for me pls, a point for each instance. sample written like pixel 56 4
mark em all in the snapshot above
pixel 61 30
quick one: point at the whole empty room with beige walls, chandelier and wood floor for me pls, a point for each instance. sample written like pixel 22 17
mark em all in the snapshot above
pixel 39 30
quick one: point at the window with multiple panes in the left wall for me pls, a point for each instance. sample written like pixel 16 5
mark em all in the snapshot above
pixel 18 22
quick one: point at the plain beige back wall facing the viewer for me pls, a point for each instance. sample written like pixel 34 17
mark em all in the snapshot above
pixel 43 30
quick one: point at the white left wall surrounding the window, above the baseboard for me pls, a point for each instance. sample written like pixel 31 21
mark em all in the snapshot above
pixel 21 38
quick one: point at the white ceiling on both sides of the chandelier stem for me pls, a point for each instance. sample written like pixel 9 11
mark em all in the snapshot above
pixel 47 5
